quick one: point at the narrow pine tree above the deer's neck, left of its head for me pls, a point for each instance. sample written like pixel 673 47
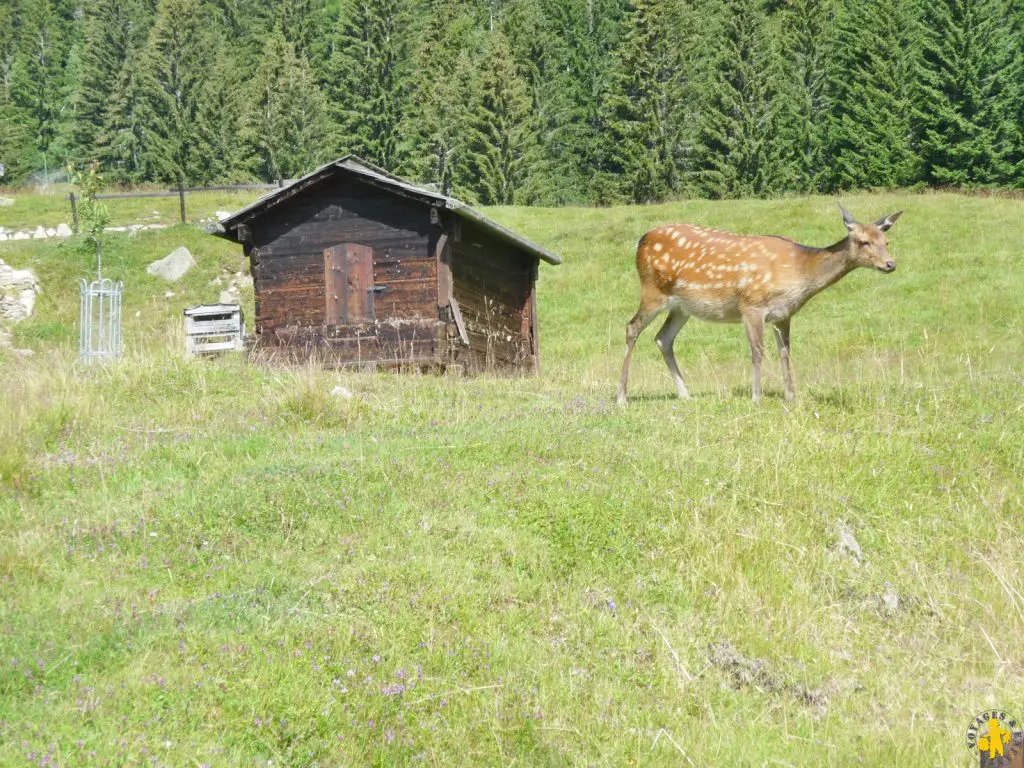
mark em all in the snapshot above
pixel 807 39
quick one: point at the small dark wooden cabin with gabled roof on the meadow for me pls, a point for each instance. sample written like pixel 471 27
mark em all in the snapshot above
pixel 354 266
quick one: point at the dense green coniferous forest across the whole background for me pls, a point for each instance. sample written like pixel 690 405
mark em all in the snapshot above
pixel 522 102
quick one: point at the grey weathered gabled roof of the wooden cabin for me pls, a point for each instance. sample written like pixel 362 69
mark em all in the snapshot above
pixel 378 178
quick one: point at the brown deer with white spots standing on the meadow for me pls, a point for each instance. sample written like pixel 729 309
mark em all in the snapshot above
pixel 693 272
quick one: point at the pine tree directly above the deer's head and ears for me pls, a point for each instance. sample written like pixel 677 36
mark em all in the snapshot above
pixel 874 86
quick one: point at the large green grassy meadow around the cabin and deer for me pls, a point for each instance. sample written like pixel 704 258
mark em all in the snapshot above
pixel 224 565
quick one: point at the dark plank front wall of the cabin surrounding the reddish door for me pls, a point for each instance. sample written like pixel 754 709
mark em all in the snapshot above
pixel 288 253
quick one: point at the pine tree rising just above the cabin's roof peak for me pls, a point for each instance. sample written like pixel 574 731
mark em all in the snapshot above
pixel 365 79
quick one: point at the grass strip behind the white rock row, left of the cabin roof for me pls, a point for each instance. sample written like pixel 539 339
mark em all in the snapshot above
pixel 31 210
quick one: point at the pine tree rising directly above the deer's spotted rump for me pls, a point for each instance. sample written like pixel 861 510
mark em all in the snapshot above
pixel 646 107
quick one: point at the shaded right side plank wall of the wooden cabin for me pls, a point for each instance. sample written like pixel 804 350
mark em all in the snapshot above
pixel 493 284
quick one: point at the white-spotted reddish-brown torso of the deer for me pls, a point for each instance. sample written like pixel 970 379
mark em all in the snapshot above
pixel 714 275
